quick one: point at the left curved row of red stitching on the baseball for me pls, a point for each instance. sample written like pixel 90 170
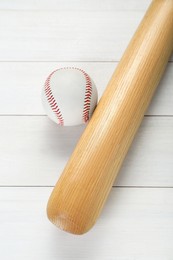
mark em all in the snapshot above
pixel 52 101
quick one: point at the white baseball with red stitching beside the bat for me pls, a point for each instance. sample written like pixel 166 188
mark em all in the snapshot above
pixel 69 96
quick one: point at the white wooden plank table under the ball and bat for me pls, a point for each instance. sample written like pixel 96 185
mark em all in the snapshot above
pixel 35 38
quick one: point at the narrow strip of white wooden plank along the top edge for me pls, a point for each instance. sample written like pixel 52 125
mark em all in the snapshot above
pixel 75 5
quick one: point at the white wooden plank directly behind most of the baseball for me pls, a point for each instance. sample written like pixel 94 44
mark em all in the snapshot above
pixel 22 83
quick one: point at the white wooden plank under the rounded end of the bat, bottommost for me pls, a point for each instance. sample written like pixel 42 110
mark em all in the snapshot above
pixel 135 224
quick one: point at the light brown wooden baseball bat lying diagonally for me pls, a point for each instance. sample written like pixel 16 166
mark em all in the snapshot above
pixel 86 181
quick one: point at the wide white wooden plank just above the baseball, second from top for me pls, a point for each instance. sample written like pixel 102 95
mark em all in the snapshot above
pixel 74 36
